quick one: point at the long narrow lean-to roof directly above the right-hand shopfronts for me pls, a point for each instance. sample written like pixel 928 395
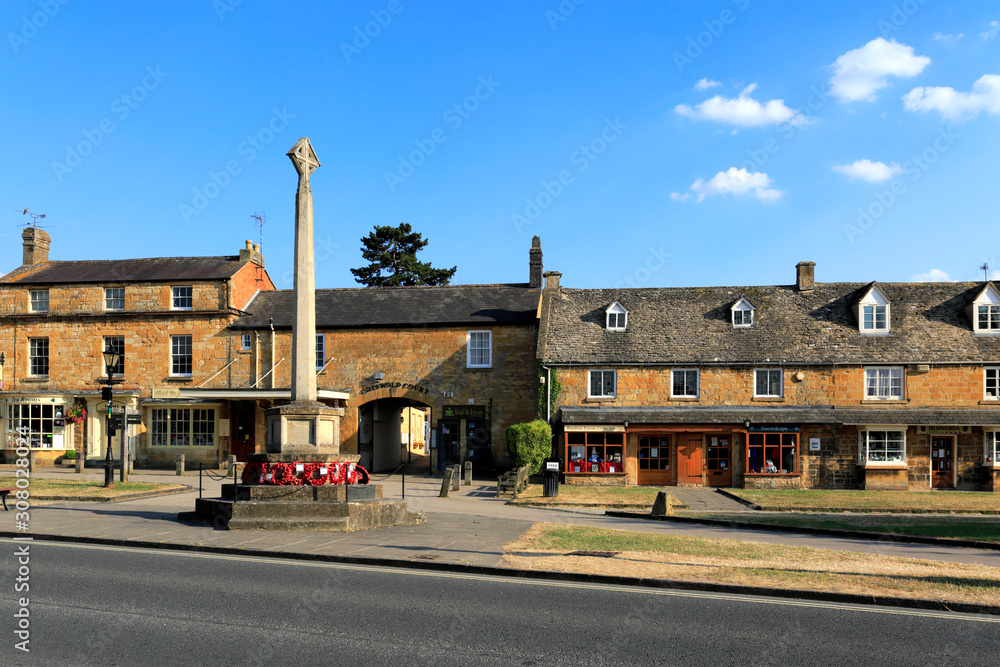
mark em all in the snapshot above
pixel 763 415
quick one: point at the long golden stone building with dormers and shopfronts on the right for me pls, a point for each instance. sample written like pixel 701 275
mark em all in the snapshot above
pixel 811 385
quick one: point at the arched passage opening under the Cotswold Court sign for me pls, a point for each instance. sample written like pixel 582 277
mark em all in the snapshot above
pixel 392 431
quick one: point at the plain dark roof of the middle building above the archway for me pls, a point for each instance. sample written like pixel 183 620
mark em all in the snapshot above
pixel 399 306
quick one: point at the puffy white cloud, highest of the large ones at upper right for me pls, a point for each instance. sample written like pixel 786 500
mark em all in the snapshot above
pixel 859 73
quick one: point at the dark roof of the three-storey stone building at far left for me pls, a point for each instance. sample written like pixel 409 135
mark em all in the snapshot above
pixel 155 269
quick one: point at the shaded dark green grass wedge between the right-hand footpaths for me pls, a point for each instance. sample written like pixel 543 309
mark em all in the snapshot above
pixel 956 527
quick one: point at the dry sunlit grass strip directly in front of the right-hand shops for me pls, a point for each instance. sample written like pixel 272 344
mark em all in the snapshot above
pixel 818 500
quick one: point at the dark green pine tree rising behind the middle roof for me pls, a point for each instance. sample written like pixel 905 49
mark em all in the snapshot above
pixel 392 256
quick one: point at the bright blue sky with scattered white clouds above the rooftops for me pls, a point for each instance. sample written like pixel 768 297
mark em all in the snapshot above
pixel 648 144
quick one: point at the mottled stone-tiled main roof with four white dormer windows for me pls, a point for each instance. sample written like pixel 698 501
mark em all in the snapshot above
pixel 693 326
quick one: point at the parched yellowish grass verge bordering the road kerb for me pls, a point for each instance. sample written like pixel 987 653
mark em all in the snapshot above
pixel 545 547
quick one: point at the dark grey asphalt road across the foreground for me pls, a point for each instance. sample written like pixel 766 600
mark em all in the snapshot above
pixel 94 605
